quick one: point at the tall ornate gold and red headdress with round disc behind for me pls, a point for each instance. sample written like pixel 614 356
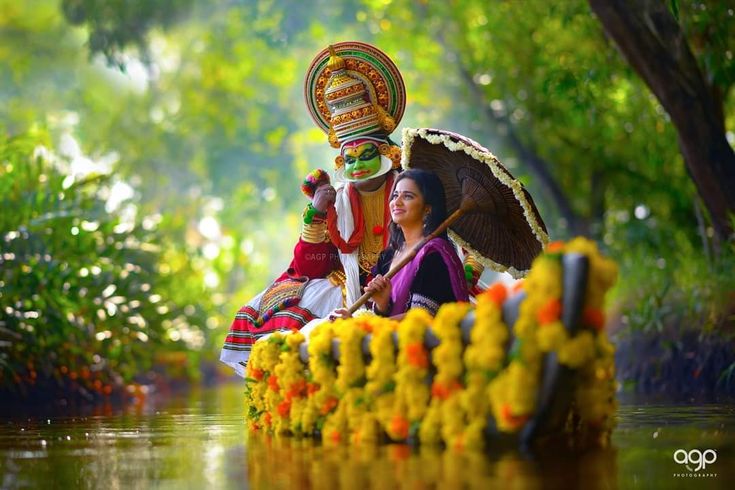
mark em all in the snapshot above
pixel 355 92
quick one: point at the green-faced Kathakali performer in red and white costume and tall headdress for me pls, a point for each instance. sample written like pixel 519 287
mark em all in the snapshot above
pixel 356 95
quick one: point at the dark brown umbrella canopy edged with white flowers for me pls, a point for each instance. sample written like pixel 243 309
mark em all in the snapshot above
pixel 504 229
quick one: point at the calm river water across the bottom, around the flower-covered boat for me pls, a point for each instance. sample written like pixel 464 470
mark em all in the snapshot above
pixel 199 441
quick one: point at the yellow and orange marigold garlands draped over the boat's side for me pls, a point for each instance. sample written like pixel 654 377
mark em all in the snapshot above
pixel 352 401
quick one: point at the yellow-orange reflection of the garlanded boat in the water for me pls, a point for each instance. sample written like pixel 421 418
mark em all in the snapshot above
pixel 281 463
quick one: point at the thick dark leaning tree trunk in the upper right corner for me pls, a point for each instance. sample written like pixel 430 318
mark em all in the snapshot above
pixel 654 45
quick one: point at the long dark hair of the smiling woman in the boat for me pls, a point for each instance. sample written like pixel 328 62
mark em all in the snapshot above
pixel 432 191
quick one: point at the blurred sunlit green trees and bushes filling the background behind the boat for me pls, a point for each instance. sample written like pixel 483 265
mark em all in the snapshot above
pixel 150 153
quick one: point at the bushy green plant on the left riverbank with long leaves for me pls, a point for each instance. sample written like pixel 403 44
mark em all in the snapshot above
pixel 84 292
